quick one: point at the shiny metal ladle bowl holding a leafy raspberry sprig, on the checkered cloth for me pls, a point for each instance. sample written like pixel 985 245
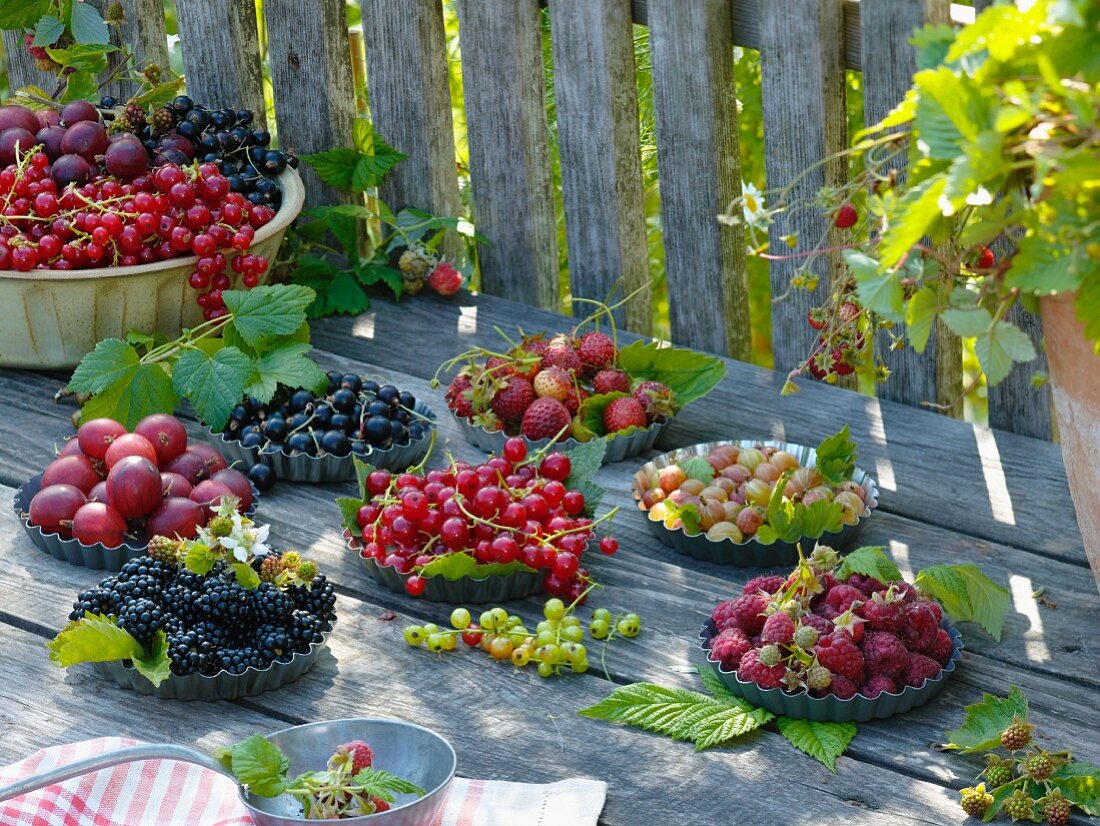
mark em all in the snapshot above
pixel 410 752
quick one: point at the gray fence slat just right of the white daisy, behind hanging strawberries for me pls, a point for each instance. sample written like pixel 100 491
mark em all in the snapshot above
pixel 804 89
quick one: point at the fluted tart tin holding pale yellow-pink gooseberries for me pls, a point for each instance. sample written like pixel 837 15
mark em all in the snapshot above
pixel 752 553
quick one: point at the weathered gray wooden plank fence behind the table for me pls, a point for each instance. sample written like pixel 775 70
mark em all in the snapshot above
pixel 807 47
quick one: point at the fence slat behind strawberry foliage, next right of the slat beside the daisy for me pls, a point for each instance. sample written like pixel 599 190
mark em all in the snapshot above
pixel 889 62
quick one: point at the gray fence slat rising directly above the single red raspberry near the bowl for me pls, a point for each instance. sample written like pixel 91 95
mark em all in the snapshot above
pixel 411 104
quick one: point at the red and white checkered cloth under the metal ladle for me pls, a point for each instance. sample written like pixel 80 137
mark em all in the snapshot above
pixel 172 794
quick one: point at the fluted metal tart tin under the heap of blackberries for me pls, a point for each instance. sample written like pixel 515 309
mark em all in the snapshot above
pixel 222 686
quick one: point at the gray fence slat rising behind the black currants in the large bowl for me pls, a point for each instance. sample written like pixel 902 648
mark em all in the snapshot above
pixel 222 54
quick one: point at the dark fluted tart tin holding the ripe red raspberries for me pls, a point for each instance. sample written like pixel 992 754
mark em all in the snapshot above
pixel 831 709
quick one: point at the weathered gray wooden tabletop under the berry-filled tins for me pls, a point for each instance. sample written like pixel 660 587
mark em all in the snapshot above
pixel 950 493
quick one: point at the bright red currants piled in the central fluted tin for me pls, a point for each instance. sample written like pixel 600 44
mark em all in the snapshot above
pixel 511 509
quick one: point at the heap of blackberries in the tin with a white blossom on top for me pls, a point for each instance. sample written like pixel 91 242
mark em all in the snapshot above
pixel 212 623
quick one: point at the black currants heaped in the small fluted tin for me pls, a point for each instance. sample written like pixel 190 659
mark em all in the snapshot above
pixel 355 416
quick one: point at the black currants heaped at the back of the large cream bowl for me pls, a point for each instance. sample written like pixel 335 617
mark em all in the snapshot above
pixel 184 133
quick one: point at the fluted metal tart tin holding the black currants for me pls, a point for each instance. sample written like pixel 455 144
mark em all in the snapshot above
pixel 316 470
